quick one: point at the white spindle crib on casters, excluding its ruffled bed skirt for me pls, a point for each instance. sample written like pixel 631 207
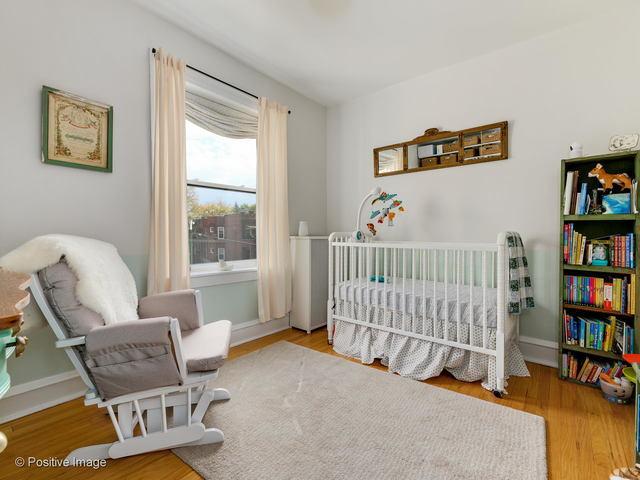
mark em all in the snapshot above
pixel 450 294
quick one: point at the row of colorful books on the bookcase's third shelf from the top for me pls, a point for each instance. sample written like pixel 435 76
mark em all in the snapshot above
pixel 614 294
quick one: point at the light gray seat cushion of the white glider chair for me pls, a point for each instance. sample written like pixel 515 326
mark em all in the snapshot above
pixel 207 347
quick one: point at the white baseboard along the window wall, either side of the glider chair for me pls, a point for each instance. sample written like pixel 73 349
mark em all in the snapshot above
pixel 30 397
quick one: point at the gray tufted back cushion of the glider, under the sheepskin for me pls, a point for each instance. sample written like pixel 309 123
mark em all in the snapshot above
pixel 59 284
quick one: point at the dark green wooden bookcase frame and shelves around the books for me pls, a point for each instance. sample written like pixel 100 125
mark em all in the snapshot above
pixel 596 227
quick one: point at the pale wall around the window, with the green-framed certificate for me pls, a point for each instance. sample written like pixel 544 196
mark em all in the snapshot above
pixel 99 49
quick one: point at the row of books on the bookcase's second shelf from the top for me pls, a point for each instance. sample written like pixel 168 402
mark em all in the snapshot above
pixel 615 250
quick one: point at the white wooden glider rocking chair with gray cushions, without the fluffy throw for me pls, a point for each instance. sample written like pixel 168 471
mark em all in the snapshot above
pixel 150 373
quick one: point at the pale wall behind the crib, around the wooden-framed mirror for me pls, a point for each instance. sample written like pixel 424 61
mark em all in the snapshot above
pixel 576 84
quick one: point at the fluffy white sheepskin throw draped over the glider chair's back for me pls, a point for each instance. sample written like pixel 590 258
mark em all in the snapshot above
pixel 105 284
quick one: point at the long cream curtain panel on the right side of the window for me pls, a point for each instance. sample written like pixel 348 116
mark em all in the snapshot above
pixel 272 213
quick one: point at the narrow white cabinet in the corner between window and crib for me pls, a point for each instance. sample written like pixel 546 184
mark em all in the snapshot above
pixel 309 257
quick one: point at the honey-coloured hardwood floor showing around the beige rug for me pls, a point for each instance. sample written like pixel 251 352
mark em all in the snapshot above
pixel 586 435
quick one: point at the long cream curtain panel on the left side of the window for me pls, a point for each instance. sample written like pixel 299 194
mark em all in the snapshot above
pixel 169 247
